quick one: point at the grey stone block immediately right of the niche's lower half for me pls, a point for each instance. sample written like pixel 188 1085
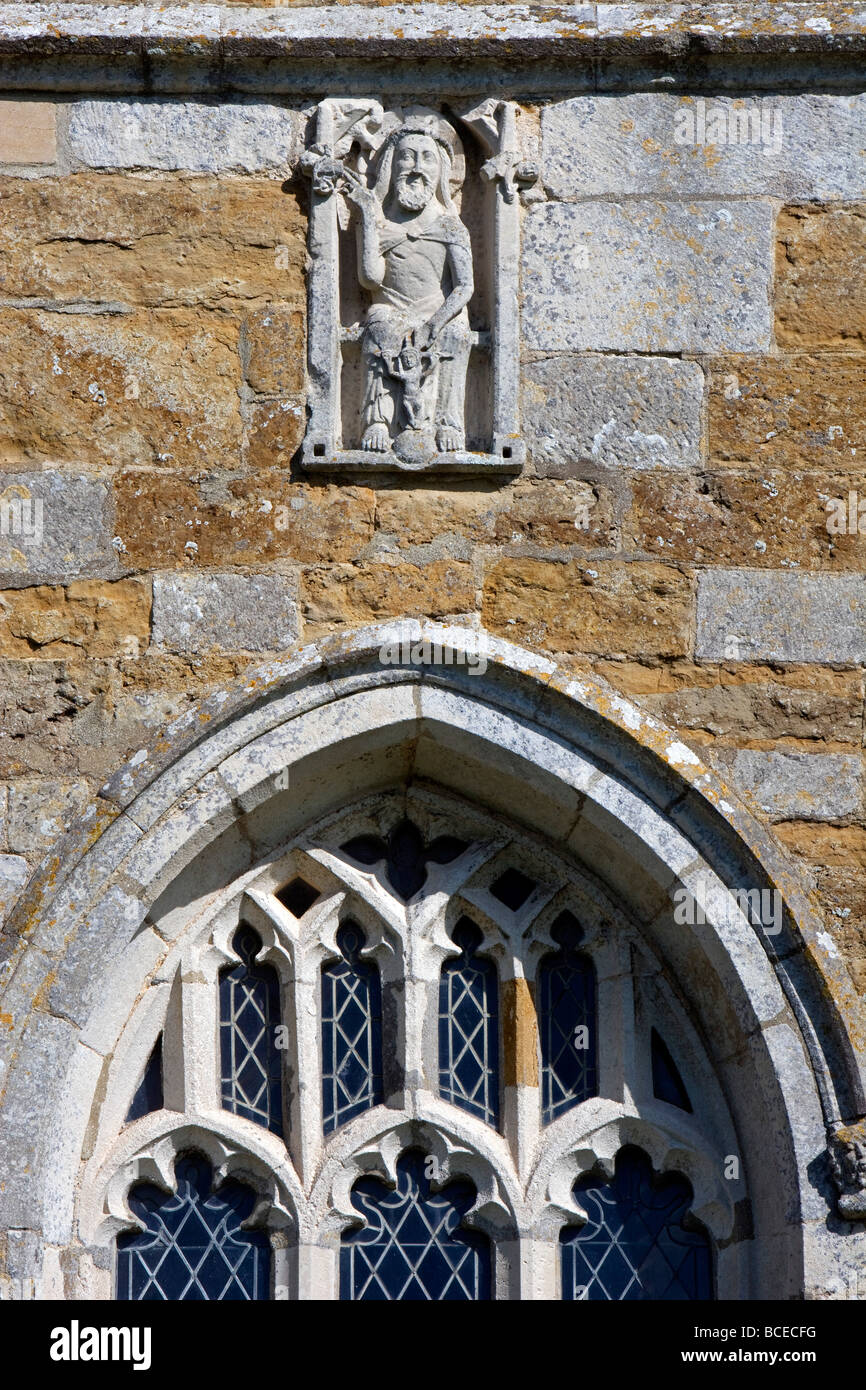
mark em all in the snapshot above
pixel 612 412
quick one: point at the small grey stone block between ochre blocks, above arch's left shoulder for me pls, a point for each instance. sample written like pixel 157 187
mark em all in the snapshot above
pixel 237 612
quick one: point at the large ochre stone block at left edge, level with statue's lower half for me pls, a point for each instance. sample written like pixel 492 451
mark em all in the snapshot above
pixel 152 387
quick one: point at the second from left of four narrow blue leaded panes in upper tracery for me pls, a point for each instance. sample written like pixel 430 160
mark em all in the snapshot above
pixel 351 1033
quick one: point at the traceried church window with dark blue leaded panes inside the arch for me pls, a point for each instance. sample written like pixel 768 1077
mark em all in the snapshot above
pixel 461 1025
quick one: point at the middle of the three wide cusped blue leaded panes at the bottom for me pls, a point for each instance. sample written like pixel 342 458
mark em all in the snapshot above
pixel 412 1248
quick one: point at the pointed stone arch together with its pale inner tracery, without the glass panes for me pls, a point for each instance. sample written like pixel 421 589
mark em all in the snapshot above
pixel 131 918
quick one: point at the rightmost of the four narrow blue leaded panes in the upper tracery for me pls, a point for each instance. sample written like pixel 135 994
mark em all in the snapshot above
pixel 566 1006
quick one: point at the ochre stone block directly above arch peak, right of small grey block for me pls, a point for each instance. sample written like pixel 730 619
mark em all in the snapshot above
pixel 369 593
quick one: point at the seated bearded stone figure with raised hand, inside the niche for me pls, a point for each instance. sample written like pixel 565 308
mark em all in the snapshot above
pixel 416 262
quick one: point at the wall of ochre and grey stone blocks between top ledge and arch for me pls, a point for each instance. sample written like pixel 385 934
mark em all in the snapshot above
pixel 693 398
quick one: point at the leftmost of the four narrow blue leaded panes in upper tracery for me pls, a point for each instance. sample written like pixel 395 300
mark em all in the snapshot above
pixel 250 1017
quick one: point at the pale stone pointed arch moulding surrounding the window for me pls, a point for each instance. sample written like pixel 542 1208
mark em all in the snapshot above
pixel 569 764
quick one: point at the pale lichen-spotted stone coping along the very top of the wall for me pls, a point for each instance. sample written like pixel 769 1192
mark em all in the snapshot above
pixel 436 31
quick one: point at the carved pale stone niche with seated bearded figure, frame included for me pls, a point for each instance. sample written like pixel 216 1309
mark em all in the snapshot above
pixel 414 288
